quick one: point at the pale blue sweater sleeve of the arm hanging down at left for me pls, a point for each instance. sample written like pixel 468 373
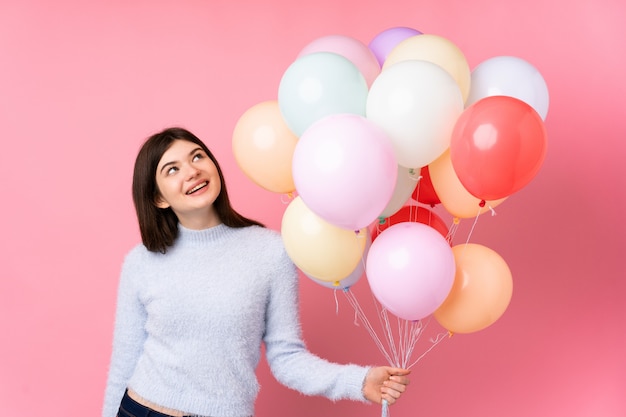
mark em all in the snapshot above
pixel 128 336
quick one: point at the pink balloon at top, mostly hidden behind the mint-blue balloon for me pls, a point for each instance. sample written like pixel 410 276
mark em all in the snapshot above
pixel 352 49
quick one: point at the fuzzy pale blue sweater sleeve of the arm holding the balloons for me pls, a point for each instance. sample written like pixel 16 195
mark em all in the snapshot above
pixel 289 360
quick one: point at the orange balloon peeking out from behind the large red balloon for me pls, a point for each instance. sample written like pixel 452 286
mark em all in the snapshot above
pixel 453 196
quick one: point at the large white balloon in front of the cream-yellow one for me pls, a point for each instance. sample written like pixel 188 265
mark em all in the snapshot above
pixel 417 104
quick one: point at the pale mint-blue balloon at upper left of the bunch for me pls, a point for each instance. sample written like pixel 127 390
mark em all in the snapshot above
pixel 318 85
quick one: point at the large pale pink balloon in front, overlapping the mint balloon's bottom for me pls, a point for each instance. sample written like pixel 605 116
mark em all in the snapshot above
pixel 344 169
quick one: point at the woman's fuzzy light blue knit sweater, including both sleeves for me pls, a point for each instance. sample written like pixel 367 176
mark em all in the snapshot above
pixel 189 326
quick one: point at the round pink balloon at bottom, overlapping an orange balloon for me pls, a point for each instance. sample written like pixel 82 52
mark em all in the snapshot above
pixel 410 268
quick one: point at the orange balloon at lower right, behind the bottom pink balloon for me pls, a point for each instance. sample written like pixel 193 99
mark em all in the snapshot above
pixel 481 292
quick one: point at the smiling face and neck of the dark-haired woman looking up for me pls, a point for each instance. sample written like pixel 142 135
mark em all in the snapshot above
pixel 189 183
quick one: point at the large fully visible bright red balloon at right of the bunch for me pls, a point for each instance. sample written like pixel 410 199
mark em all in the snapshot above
pixel 497 146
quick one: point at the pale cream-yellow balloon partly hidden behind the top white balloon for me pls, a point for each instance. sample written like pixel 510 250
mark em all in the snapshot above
pixel 435 49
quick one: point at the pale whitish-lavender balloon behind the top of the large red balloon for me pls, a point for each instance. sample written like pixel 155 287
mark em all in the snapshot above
pixel 513 77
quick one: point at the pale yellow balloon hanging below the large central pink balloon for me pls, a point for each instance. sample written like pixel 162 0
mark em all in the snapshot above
pixel 320 249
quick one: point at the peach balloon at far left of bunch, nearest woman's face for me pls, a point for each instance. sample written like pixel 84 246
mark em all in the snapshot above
pixel 263 146
